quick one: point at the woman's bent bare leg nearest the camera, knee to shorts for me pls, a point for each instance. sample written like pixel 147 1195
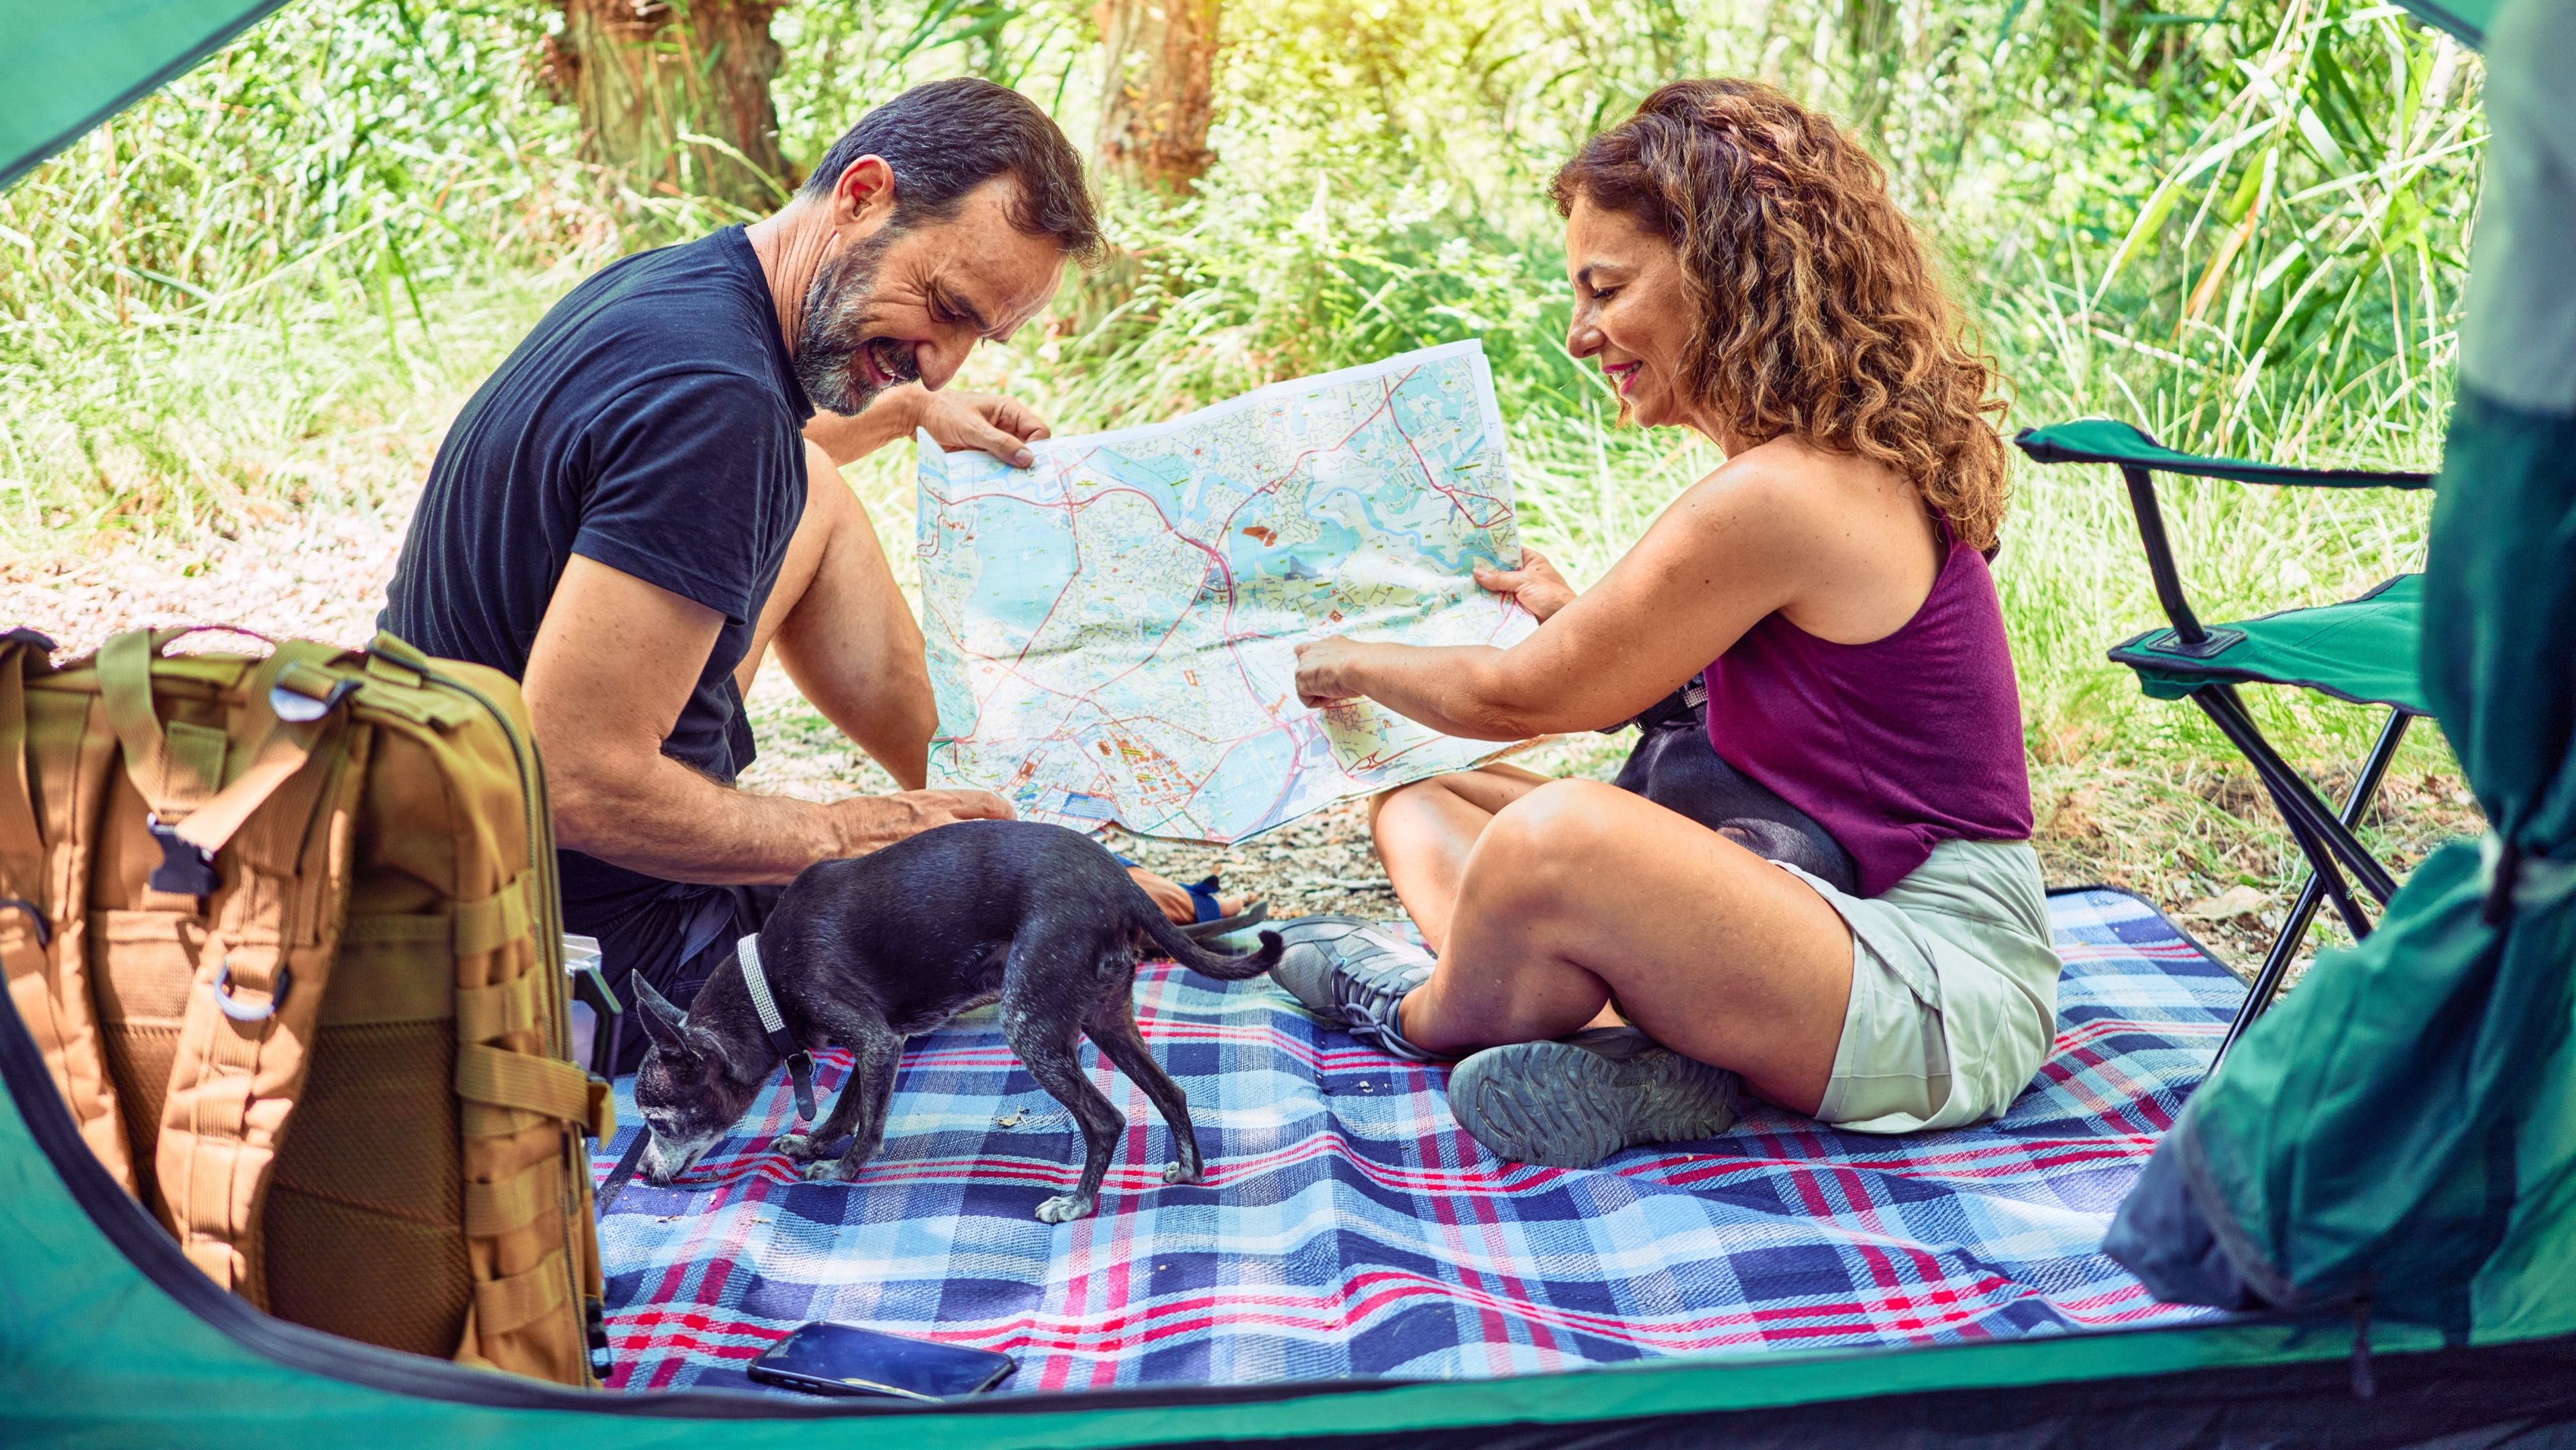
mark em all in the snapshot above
pixel 1578 892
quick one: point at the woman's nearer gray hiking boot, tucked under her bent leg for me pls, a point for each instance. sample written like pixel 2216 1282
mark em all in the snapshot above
pixel 1578 1101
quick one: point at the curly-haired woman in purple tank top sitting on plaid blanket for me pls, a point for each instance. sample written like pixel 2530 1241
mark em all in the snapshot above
pixel 1743 272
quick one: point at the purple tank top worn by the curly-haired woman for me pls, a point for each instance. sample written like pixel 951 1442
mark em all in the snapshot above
pixel 1892 746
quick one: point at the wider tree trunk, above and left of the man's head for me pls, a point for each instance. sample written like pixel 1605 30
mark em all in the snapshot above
pixel 645 73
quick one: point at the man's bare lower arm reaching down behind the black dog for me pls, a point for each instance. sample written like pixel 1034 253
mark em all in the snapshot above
pixel 612 668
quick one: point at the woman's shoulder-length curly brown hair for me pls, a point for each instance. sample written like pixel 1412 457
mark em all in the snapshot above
pixel 1820 313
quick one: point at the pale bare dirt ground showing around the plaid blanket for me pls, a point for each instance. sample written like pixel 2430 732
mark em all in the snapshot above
pixel 2193 838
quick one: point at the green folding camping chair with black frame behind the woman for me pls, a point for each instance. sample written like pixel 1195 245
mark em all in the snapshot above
pixel 2361 650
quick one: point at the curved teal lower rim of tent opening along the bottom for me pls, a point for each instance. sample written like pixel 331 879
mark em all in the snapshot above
pixel 411 1387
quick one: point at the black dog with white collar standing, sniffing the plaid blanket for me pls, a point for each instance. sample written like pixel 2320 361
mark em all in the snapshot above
pixel 887 946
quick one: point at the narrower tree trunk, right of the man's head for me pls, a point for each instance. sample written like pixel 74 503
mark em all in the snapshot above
pixel 1158 91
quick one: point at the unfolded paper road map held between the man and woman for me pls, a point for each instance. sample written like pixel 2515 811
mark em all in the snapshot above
pixel 1114 630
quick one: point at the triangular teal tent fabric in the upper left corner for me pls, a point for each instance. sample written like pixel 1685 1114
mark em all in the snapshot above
pixel 71 66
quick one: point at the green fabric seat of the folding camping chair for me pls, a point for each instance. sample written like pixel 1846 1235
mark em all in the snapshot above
pixel 2361 650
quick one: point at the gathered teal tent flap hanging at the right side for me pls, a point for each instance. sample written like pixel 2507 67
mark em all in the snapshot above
pixel 2402 1132
